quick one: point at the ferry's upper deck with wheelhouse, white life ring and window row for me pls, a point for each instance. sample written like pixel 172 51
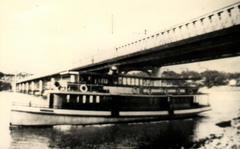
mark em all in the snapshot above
pixel 95 82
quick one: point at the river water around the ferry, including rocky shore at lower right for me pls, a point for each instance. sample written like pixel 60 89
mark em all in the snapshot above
pixel 200 132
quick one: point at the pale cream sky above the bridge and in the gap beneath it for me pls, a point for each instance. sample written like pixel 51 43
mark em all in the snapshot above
pixel 41 36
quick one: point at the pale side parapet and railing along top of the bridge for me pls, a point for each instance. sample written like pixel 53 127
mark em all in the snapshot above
pixel 217 20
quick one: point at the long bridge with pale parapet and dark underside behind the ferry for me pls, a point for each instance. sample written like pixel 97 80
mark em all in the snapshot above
pixel 210 36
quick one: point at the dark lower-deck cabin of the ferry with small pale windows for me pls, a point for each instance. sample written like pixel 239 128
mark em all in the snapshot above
pixel 123 102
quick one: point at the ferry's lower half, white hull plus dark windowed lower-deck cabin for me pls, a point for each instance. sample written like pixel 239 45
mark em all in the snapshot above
pixel 95 108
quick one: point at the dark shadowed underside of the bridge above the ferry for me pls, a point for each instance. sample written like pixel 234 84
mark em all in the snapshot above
pixel 218 44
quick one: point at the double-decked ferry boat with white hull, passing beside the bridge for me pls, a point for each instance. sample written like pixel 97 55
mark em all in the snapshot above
pixel 72 98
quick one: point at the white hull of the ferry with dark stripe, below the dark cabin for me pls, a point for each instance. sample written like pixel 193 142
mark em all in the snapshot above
pixel 30 116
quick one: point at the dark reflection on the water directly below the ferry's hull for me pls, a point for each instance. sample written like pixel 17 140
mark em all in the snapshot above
pixel 174 134
